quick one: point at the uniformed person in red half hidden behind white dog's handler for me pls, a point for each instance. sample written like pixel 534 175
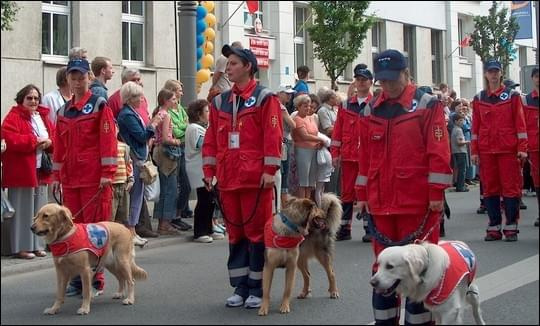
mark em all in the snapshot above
pixel 344 146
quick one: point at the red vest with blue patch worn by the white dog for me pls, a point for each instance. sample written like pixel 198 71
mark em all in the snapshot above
pixel 462 264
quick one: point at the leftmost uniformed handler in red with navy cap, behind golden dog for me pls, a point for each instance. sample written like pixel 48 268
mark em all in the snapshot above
pixel 84 159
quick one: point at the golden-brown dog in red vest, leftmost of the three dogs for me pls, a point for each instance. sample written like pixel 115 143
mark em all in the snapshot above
pixel 54 223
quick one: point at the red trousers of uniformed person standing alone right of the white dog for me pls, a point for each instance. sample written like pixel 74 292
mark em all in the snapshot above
pixel 501 175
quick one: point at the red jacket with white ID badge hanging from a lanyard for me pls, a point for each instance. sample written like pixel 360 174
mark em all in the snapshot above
pixel 260 136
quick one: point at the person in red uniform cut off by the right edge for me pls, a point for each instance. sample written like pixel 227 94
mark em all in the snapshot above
pixel 530 107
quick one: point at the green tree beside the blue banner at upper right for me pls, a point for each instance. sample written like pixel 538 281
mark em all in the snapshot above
pixel 493 35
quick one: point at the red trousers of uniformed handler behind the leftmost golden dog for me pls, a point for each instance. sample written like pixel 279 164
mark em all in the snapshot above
pixel 98 209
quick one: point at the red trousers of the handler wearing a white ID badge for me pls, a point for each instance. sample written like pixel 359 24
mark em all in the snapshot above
pixel 238 207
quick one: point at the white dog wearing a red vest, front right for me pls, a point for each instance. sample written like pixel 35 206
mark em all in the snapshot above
pixel 441 276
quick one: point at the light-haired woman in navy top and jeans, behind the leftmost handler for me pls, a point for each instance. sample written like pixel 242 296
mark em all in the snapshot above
pixel 136 135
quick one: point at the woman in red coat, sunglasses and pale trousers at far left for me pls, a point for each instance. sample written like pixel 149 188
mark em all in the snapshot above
pixel 28 132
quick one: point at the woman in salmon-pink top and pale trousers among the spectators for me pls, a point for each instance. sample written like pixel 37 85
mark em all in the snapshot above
pixel 306 144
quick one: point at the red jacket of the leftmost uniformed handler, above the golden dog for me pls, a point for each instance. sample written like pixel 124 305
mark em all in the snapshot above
pixel 86 145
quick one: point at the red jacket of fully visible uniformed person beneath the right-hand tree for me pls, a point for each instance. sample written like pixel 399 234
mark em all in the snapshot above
pixel 498 123
